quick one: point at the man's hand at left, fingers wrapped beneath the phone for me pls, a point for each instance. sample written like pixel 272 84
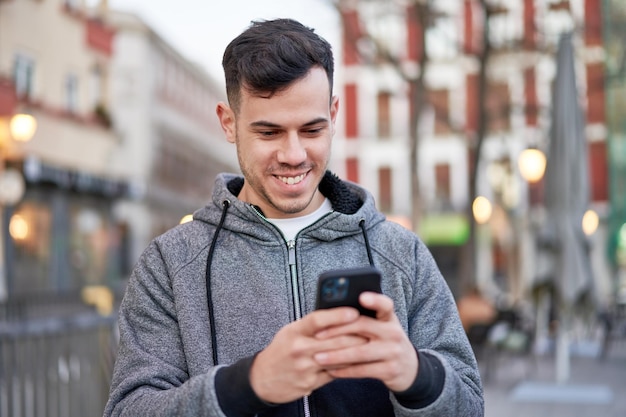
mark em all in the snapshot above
pixel 286 369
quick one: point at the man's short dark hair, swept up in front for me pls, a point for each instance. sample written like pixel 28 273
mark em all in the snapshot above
pixel 271 54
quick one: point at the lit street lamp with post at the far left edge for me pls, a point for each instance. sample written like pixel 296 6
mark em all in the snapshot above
pixel 19 127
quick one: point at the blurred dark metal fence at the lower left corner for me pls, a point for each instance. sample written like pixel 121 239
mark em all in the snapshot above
pixel 56 358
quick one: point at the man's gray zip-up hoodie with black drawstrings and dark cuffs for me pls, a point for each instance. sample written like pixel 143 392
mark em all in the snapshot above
pixel 185 347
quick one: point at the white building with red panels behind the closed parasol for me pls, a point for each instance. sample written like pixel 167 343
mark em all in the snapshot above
pixel 486 76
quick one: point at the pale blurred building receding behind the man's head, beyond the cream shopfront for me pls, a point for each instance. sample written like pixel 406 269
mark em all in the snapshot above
pixel 163 106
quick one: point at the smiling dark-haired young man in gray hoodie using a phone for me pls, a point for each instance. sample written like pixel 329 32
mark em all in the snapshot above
pixel 218 318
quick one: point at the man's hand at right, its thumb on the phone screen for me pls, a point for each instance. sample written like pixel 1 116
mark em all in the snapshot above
pixel 388 355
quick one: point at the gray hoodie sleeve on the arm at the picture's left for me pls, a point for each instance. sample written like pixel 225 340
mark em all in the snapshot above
pixel 150 376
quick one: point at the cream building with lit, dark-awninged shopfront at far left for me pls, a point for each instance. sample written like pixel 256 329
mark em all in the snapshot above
pixel 54 58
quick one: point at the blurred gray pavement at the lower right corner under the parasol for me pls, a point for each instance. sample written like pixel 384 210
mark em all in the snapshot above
pixel 596 388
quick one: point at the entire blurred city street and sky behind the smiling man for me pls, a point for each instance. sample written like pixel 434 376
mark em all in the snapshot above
pixel 494 129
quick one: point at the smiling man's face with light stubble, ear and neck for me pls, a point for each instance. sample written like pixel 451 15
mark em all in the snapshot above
pixel 283 145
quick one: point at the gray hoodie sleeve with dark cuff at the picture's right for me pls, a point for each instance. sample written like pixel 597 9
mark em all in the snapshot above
pixel 436 332
